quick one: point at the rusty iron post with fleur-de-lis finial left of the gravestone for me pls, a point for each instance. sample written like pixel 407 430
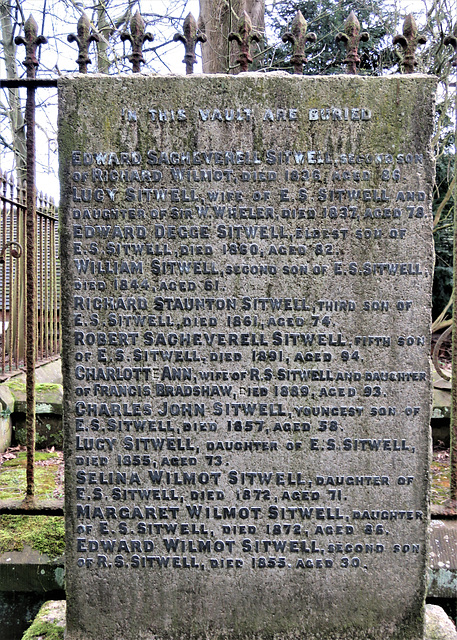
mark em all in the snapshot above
pixel 31 41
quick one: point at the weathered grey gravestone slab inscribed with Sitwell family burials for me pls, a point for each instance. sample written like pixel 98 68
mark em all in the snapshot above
pixel 247 267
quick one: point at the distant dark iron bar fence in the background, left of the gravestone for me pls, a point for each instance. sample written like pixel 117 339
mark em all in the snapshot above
pixel 13 211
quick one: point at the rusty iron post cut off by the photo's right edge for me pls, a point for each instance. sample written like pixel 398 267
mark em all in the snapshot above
pixel 452 41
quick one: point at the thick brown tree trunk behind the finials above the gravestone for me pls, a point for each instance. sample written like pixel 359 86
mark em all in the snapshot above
pixel 220 17
